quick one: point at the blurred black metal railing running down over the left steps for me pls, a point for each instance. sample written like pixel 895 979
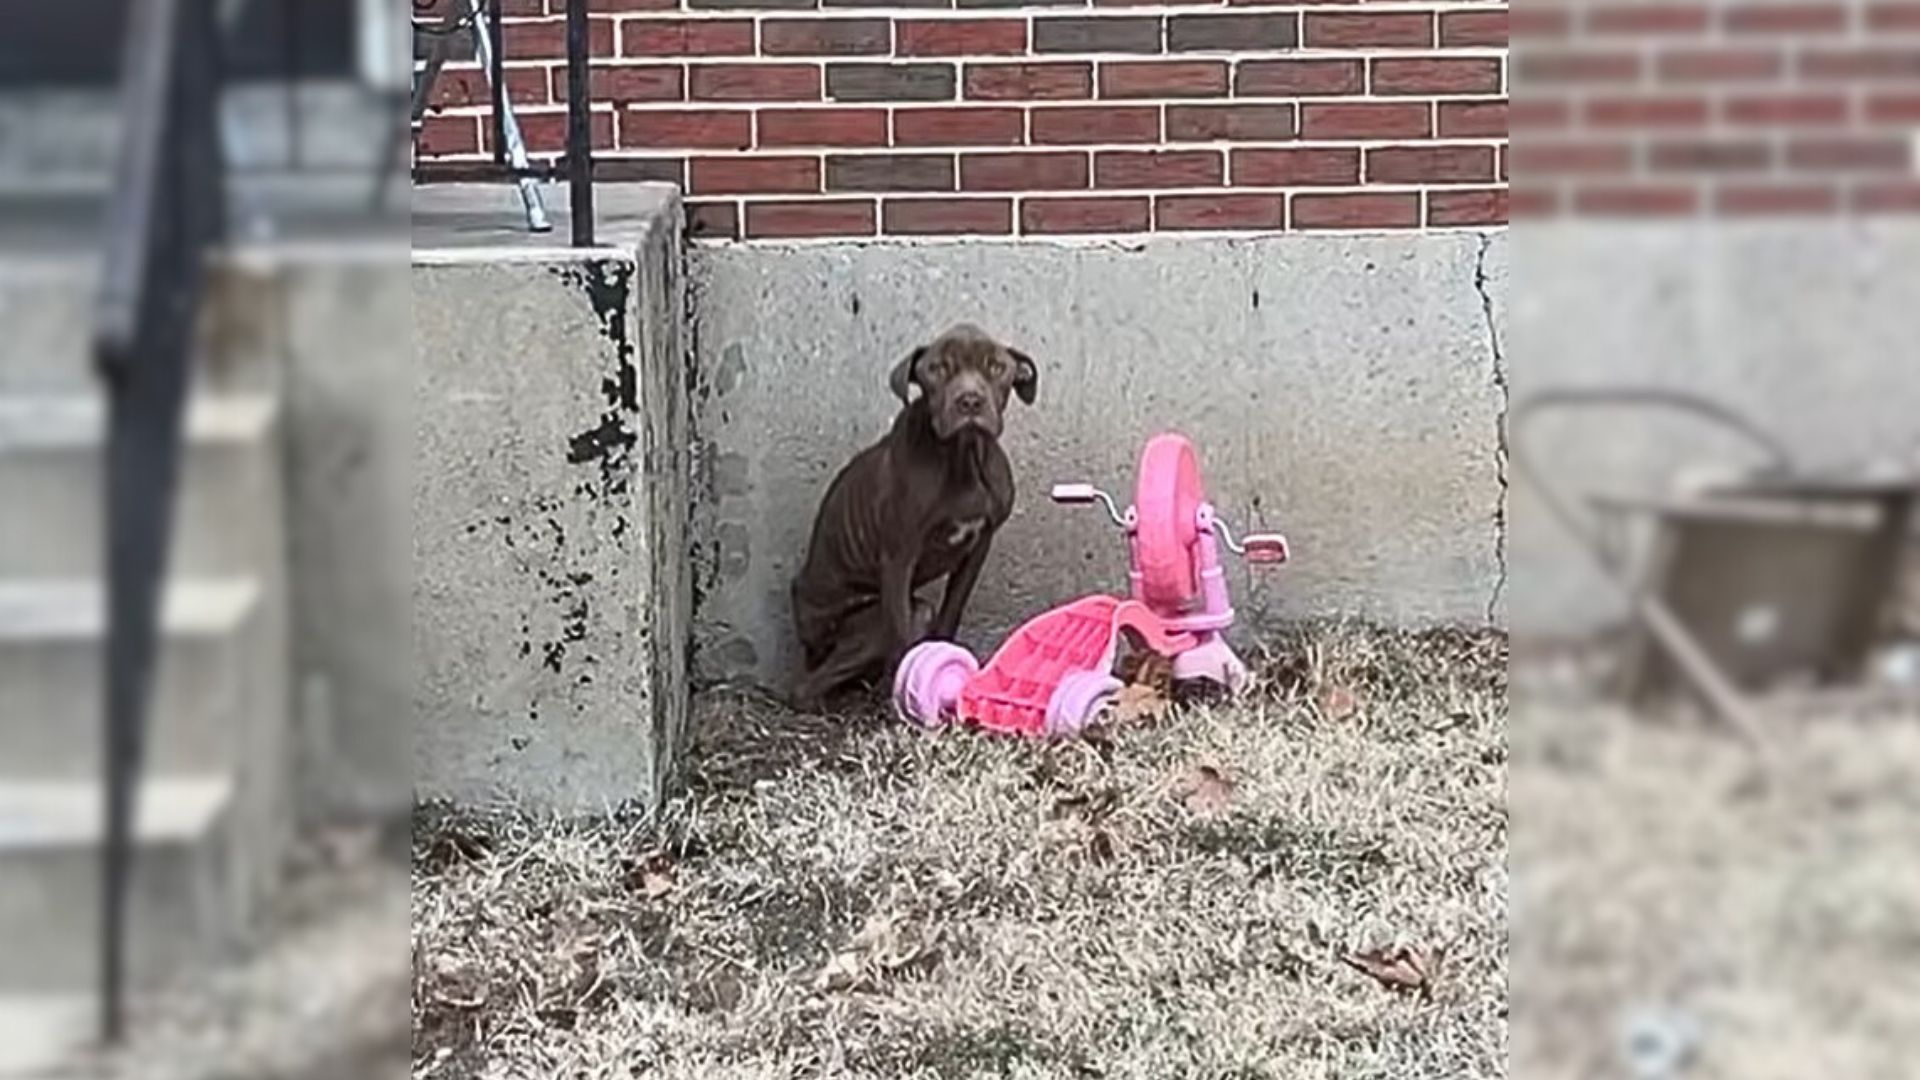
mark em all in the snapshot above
pixel 168 212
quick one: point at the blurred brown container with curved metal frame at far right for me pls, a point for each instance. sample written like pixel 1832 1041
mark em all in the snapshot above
pixel 1775 572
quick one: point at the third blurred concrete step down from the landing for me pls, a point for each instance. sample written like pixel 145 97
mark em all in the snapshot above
pixel 185 904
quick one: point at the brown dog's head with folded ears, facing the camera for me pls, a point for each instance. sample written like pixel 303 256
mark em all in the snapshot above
pixel 967 380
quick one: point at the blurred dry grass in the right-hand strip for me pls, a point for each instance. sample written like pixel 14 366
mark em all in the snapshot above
pixel 1771 929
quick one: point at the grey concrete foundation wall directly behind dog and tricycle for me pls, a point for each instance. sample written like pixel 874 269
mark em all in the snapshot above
pixel 1343 389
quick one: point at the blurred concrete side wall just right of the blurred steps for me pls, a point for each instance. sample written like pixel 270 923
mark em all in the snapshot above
pixel 327 328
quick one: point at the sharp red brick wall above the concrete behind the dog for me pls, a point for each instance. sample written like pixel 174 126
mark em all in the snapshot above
pixel 834 118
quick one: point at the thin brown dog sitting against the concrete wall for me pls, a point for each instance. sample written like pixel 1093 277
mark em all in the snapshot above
pixel 917 506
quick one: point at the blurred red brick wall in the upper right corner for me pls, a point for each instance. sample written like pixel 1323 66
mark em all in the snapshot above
pixel 1752 109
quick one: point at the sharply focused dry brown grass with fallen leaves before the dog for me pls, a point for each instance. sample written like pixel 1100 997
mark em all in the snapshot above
pixel 853 898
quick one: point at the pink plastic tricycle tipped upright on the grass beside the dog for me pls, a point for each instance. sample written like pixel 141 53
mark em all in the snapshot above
pixel 1057 672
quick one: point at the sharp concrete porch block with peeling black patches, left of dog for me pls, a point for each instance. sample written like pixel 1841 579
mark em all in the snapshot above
pixel 550 576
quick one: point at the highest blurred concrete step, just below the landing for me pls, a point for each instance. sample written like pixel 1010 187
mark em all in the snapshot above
pixel 53 472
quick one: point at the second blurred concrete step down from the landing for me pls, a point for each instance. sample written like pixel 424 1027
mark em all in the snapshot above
pixel 53 637
